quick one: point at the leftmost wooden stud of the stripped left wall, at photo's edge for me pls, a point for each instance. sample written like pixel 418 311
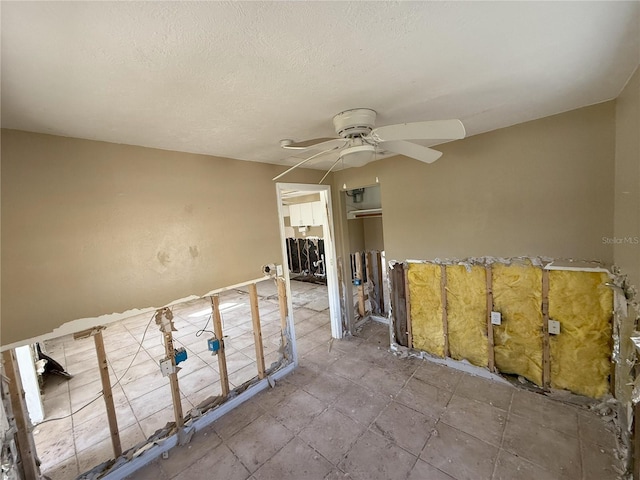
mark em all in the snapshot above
pixel 23 424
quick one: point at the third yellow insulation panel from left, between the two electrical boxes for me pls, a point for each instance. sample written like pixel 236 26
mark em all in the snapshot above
pixel 517 295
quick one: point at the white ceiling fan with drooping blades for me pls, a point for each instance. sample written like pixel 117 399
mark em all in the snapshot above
pixel 359 143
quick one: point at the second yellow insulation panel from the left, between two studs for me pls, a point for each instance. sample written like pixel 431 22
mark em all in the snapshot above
pixel 467 314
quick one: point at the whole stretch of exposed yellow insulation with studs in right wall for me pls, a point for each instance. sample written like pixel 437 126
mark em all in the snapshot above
pixel 580 354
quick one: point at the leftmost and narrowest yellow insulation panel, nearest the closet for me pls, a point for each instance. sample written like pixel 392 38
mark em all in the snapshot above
pixel 426 308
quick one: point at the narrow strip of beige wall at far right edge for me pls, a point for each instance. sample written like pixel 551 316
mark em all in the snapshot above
pixel 627 180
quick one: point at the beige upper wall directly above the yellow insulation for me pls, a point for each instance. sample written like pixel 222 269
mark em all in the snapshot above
pixel 540 188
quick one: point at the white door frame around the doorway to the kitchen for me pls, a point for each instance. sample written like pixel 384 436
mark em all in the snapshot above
pixel 331 264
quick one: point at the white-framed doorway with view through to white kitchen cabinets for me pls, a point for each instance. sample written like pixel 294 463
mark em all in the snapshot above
pixel 309 260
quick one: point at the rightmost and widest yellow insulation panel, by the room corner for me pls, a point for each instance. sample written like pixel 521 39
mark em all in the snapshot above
pixel 581 352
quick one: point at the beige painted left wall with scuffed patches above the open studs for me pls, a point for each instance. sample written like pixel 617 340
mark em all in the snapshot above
pixel 92 228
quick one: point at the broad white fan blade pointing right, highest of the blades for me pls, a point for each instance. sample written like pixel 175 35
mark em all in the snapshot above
pixel 431 130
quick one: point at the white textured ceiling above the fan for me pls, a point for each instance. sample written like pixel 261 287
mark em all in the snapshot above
pixel 232 78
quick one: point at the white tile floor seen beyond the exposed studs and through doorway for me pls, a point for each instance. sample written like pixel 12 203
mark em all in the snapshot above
pixel 80 441
